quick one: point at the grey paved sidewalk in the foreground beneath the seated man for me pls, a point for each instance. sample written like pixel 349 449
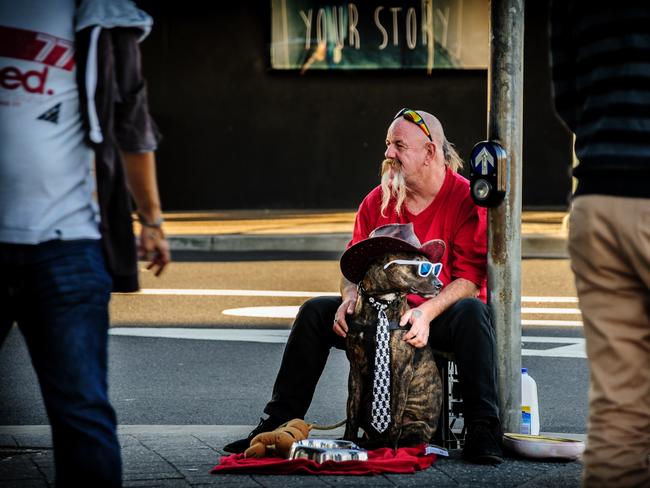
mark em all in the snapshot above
pixel 182 456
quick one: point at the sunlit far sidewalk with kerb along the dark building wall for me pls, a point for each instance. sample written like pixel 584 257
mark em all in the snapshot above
pixel 543 234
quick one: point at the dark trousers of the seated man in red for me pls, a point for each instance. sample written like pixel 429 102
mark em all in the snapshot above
pixel 464 329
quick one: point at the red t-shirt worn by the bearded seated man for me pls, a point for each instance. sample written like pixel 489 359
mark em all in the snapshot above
pixel 452 217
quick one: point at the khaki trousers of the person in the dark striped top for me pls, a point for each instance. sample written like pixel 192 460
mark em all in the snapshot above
pixel 609 244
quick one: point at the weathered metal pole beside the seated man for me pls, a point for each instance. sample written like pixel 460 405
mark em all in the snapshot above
pixel 505 82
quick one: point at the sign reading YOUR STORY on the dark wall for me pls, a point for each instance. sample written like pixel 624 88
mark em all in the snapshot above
pixel 367 34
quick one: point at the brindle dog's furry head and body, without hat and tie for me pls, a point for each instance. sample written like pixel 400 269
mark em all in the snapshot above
pixel 416 388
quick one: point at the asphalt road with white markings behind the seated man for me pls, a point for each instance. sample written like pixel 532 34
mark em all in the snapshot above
pixel 228 379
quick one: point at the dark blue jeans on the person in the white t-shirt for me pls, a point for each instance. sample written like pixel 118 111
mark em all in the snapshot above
pixel 58 293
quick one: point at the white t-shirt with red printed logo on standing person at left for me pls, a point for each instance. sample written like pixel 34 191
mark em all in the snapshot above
pixel 46 168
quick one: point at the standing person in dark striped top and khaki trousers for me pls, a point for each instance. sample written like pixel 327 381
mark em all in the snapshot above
pixel 601 77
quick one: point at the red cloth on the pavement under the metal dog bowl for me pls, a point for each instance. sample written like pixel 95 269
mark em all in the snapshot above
pixel 405 460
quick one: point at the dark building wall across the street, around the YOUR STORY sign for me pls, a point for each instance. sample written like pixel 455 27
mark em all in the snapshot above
pixel 241 133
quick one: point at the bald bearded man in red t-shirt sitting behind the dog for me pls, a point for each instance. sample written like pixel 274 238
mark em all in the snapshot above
pixel 420 185
